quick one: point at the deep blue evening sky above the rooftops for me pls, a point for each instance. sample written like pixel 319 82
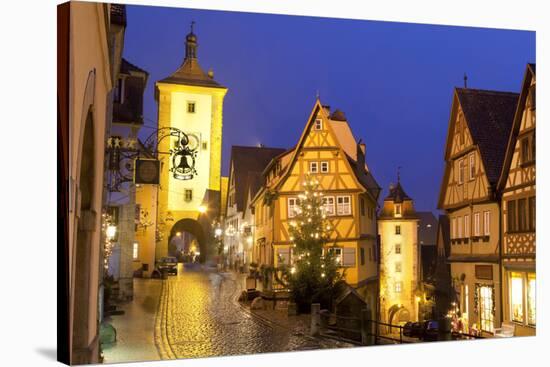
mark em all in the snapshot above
pixel 394 81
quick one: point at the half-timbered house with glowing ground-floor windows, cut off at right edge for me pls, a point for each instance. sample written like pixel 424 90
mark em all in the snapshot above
pixel 517 184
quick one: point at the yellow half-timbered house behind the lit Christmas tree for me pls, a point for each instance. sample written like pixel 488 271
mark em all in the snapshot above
pixel 327 152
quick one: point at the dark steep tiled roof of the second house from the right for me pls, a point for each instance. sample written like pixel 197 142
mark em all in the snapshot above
pixel 489 115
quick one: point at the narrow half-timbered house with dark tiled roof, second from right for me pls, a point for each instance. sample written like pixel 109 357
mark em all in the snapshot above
pixel 479 128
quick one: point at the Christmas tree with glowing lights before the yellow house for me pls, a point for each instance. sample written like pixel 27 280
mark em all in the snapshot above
pixel 314 272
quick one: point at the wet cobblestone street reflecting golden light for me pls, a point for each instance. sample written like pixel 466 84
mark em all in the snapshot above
pixel 199 317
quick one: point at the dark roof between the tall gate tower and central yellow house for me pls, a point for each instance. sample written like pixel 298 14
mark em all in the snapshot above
pixel 245 160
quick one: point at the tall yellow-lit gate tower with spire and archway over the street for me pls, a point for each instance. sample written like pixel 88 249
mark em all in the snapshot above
pixel 191 101
